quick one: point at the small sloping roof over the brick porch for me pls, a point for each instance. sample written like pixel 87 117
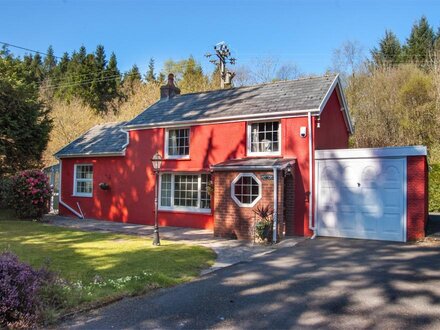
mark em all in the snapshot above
pixel 253 164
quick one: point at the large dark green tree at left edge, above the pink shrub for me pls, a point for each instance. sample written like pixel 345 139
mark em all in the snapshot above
pixel 24 120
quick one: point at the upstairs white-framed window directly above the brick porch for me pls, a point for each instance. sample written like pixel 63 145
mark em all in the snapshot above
pixel 264 138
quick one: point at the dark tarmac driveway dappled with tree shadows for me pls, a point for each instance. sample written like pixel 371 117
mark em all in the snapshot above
pixel 322 283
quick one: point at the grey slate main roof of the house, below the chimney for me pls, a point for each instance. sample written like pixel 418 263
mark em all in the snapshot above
pixel 293 96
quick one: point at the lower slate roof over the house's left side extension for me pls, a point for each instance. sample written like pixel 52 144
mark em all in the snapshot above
pixel 102 139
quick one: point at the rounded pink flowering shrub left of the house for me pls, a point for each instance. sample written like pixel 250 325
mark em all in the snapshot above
pixel 31 194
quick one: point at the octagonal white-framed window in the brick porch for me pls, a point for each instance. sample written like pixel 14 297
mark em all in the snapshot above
pixel 246 190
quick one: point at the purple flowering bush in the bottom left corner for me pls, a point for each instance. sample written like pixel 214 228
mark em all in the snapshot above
pixel 20 306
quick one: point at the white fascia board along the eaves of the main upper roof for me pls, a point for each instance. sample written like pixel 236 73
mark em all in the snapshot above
pixel 267 116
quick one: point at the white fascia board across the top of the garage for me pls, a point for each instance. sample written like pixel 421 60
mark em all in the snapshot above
pixel 371 152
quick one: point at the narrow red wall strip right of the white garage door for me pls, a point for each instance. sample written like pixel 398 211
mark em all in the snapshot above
pixel 417 197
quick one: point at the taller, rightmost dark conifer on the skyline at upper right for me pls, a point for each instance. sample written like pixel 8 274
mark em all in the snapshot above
pixel 420 43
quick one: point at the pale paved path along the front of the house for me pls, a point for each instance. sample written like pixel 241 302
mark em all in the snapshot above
pixel 228 252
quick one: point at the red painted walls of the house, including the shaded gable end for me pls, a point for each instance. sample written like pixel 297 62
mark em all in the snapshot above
pixel 131 196
